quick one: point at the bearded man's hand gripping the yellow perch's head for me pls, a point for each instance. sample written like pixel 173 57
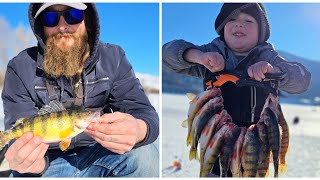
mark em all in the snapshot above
pixel 118 132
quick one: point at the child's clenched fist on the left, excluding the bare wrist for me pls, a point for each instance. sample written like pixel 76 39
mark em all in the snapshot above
pixel 212 61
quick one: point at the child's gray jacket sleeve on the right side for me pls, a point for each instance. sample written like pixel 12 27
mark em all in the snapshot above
pixel 297 78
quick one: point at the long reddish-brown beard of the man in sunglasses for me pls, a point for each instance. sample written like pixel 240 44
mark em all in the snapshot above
pixel 67 61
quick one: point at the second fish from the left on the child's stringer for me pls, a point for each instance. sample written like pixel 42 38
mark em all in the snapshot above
pixel 208 111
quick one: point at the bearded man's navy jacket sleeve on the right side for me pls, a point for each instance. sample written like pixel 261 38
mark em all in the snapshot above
pixel 128 96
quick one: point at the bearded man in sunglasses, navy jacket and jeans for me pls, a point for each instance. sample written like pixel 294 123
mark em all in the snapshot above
pixel 72 66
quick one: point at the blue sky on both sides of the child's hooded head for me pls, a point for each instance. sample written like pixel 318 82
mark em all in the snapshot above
pixel 295 27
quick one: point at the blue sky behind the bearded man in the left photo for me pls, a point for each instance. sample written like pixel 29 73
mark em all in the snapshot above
pixel 133 26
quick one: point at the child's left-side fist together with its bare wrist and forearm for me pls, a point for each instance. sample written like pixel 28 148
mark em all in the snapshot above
pixel 211 60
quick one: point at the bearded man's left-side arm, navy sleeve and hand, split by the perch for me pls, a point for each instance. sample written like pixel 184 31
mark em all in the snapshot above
pixel 26 154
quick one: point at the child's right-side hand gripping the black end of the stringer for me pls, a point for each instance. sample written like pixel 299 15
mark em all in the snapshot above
pixel 257 70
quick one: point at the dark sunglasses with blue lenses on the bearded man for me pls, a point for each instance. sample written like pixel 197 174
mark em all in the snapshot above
pixel 71 16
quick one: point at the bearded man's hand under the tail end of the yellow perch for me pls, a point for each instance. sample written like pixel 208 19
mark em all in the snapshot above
pixel 26 154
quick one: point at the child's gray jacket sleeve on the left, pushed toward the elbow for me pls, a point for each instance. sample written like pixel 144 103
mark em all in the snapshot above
pixel 173 57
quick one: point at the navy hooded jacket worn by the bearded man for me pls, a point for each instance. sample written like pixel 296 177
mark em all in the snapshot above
pixel 108 80
